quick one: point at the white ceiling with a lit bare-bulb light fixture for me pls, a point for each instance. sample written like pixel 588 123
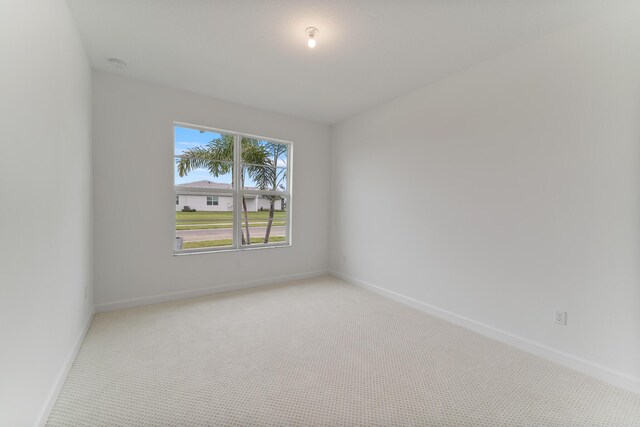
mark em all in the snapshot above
pixel 254 52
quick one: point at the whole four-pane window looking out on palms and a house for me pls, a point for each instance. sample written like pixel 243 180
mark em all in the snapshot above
pixel 233 191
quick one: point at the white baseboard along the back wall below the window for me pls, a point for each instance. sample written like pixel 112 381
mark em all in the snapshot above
pixel 135 302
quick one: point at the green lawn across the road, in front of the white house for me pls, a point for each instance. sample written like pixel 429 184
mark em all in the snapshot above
pixel 208 220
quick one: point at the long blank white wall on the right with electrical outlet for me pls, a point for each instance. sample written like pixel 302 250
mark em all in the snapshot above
pixel 516 187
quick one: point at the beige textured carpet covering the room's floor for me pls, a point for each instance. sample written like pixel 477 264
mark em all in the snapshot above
pixel 317 352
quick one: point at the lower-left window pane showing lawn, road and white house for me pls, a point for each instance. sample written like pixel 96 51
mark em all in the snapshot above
pixel 201 223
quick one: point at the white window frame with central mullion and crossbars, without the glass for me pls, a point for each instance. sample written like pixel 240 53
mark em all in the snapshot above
pixel 238 193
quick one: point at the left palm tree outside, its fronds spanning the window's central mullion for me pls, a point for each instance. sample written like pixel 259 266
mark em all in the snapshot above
pixel 217 158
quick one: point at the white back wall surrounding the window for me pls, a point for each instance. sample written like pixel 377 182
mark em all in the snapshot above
pixel 133 158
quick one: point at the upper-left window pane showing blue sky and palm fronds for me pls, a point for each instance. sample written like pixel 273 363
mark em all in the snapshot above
pixel 202 156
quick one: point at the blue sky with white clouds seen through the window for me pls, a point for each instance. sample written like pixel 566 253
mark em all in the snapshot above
pixel 186 138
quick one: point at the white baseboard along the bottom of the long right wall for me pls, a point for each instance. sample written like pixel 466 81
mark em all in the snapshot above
pixel 592 369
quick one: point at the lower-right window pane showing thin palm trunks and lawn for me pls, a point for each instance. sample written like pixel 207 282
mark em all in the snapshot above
pixel 256 212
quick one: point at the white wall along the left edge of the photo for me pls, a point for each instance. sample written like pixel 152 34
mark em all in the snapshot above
pixel 45 213
